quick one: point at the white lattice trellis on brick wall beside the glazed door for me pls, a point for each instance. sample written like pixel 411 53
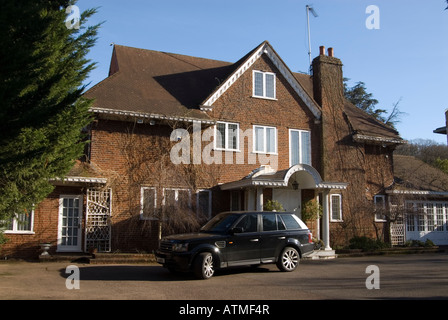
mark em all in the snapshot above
pixel 98 228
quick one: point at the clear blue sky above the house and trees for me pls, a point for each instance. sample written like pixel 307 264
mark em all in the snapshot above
pixel 406 58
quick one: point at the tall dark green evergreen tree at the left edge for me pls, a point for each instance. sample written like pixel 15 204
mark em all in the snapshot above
pixel 42 113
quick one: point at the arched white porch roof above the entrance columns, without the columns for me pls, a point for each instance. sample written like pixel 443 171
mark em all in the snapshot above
pixel 307 177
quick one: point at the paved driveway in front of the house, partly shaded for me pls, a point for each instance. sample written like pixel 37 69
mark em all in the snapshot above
pixel 416 276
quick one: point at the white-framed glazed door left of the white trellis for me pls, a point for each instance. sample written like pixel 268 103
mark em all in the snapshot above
pixel 70 218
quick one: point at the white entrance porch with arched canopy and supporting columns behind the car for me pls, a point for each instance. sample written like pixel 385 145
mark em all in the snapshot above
pixel 297 177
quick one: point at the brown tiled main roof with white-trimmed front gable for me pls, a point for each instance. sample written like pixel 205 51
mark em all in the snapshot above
pixel 154 84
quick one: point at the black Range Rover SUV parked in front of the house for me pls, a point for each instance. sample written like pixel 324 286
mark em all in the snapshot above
pixel 238 238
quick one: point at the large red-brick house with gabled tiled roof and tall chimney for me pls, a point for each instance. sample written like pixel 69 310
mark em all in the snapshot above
pixel 176 139
